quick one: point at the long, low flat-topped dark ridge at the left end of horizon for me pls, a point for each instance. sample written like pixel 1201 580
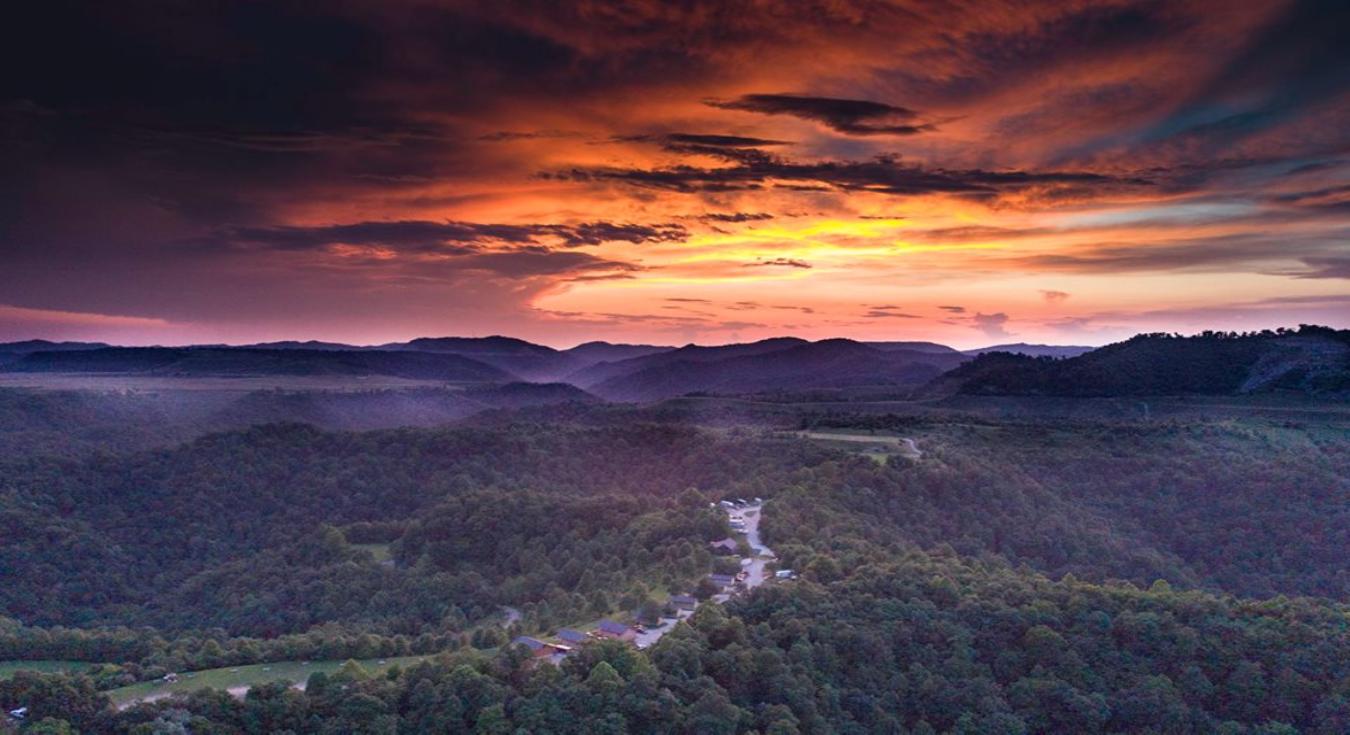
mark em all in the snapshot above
pixel 250 361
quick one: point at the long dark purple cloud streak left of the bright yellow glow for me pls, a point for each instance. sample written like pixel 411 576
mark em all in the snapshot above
pixel 445 236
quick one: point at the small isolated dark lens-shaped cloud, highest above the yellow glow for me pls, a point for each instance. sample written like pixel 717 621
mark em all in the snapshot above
pixel 848 117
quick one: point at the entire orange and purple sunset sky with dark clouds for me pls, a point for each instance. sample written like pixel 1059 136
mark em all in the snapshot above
pixel 966 172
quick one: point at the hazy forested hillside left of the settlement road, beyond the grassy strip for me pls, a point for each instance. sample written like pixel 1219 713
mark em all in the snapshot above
pixel 244 532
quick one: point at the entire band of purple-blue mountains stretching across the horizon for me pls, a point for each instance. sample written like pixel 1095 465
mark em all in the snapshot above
pixel 1312 360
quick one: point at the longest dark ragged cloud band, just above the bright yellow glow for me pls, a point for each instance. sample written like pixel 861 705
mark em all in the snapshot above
pixel 884 175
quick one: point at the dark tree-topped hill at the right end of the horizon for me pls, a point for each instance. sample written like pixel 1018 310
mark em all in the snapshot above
pixel 1313 360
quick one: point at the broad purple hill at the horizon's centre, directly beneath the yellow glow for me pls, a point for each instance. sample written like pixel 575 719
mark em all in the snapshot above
pixel 776 367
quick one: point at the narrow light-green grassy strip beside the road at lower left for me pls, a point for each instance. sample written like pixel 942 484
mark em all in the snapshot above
pixel 238 679
